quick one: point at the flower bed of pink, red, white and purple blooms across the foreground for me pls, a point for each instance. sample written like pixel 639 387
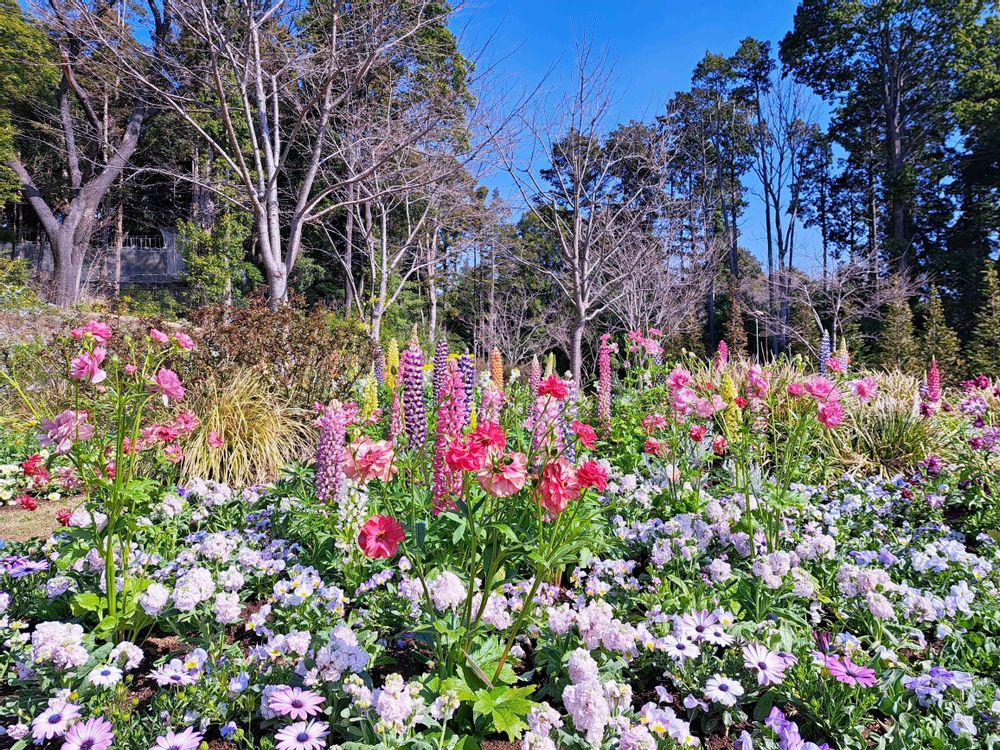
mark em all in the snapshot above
pixel 678 561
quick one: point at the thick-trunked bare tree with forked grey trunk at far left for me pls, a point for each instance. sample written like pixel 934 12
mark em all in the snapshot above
pixel 94 126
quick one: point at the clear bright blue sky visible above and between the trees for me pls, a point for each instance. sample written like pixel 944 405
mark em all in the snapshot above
pixel 653 46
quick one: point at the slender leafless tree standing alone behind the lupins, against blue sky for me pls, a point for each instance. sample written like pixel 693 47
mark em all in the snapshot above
pixel 595 196
